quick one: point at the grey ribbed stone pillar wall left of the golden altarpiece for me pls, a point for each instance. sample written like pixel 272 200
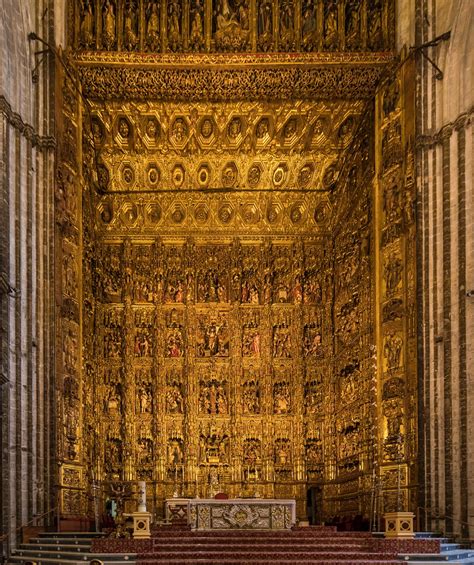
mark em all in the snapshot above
pixel 26 205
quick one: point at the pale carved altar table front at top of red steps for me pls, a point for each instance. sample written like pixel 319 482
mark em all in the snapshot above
pixel 241 514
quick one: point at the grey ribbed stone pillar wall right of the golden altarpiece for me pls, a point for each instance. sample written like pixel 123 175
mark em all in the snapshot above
pixel 446 264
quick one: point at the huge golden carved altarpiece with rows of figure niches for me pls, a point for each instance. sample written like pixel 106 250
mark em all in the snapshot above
pixel 235 250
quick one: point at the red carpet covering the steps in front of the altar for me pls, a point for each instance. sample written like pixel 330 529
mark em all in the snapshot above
pixel 301 546
